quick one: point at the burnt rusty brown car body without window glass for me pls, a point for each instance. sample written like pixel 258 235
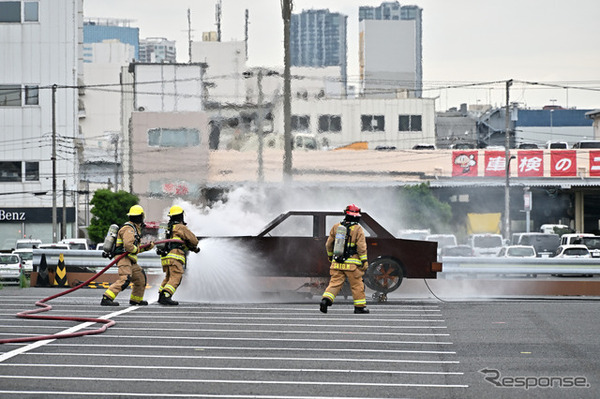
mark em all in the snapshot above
pixel 293 245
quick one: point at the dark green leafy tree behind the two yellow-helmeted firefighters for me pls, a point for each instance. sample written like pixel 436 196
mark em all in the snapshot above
pixel 109 208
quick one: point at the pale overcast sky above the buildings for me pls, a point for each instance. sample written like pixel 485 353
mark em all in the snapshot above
pixel 548 47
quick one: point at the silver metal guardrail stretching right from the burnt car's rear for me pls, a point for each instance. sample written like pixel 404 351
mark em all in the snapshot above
pixel 491 265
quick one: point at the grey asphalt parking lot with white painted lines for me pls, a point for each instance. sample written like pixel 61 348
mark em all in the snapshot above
pixel 408 347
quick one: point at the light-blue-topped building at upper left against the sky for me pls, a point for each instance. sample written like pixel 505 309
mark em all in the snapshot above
pixel 98 30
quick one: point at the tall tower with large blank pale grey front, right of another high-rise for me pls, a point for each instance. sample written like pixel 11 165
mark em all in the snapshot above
pixel 391 50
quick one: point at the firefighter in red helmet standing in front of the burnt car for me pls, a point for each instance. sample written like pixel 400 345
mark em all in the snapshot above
pixel 351 265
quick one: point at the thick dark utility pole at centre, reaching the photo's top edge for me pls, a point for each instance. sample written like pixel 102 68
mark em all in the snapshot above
pixel 286 10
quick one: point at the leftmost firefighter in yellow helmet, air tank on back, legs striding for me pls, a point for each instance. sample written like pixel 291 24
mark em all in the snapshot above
pixel 128 240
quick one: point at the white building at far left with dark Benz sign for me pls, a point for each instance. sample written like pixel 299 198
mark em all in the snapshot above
pixel 42 42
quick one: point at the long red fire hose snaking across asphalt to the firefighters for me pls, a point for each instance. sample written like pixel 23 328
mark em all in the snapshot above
pixel 32 314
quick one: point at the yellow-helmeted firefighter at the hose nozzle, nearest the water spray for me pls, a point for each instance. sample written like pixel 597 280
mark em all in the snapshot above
pixel 174 256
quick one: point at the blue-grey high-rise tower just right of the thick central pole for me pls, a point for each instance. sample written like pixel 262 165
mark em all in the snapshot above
pixel 318 39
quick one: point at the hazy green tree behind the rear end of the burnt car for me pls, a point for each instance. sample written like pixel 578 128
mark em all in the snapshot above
pixel 424 211
